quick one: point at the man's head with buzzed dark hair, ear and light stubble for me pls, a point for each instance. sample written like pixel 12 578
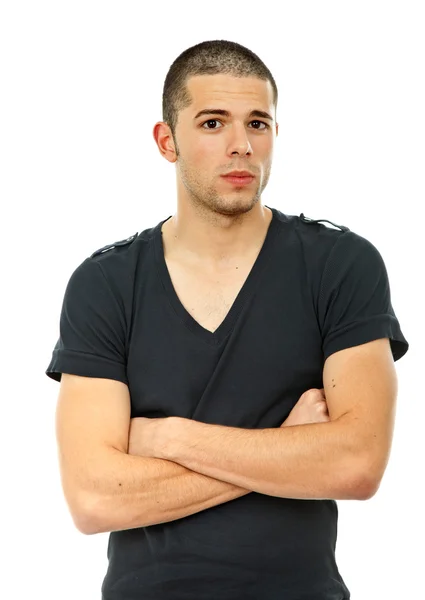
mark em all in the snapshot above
pixel 225 76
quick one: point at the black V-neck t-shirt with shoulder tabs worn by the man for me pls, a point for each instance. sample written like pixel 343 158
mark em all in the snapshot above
pixel 312 291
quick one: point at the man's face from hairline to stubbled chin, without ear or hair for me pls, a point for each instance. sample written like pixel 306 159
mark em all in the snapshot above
pixel 211 145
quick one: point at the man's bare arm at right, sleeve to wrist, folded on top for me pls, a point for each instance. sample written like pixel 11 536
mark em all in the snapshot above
pixel 342 459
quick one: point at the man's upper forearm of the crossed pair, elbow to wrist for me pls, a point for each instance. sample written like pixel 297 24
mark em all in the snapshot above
pixel 312 461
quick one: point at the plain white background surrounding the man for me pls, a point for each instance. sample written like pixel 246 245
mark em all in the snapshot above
pixel 81 87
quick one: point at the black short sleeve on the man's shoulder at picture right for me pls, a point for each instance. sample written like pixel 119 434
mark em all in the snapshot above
pixel 354 304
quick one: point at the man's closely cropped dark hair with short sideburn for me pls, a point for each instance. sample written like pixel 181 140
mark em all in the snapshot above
pixel 208 58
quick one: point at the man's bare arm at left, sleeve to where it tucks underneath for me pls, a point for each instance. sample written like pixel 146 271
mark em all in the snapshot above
pixel 107 489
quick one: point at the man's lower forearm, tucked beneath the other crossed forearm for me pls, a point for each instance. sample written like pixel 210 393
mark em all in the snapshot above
pixel 134 491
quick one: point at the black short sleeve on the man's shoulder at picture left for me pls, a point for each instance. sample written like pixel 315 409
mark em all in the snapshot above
pixel 92 328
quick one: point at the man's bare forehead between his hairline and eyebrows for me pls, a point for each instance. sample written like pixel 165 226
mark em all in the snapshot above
pixel 205 89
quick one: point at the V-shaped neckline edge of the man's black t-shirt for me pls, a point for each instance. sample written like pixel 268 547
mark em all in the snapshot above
pixel 212 338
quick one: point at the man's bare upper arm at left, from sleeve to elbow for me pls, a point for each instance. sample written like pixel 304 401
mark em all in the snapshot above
pixel 92 416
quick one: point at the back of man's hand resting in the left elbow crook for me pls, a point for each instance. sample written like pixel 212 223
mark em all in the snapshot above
pixel 148 437
